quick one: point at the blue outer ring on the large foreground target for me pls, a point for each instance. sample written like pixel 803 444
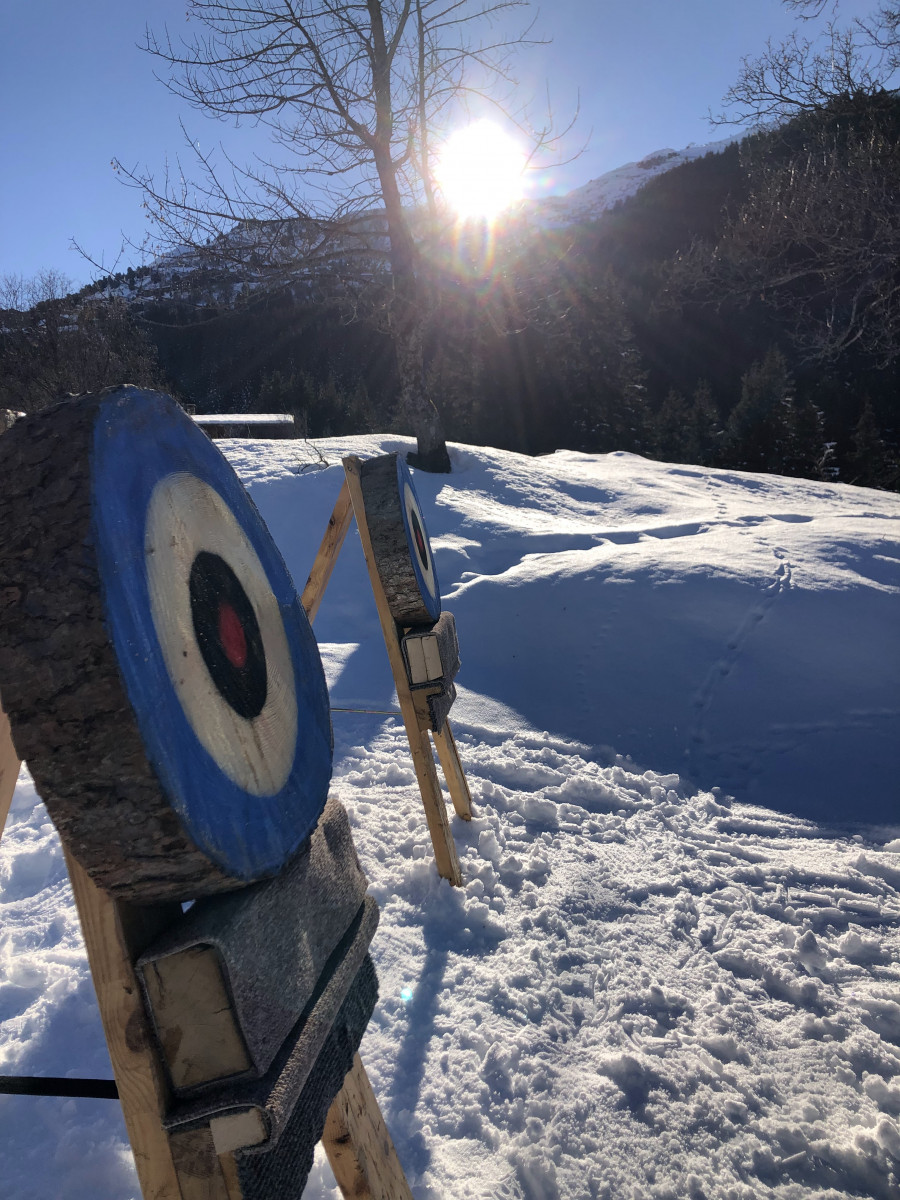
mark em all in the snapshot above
pixel 140 440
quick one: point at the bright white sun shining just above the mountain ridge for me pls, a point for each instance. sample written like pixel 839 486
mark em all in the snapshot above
pixel 481 171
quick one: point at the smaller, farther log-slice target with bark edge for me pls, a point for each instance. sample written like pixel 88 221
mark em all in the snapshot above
pixel 400 542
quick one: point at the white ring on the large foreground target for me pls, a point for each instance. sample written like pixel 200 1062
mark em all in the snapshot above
pixel 184 518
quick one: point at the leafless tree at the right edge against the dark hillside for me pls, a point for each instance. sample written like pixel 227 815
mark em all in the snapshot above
pixel 817 237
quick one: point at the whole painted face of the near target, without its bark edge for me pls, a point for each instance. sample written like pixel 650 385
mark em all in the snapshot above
pixel 233 602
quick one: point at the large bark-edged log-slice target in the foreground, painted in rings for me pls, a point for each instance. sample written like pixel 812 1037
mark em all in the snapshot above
pixel 160 675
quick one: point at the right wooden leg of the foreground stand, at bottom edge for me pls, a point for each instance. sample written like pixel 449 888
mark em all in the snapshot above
pixel 359 1147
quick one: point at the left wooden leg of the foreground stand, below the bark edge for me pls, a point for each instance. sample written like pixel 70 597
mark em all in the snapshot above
pixel 115 935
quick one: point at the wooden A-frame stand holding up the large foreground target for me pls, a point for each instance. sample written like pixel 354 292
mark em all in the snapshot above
pixel 185 1166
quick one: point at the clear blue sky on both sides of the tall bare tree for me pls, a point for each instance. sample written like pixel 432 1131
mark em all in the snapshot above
pixel 75 93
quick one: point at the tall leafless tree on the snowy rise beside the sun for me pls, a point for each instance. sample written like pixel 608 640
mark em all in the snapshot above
pixel 353 95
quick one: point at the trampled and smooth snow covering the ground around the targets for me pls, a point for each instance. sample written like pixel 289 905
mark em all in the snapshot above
pixel 674 970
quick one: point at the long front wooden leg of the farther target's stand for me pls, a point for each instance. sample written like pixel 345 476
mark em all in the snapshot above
pixel 442 839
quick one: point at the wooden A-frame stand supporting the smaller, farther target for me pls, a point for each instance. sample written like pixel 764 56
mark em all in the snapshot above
pixel 413 706
